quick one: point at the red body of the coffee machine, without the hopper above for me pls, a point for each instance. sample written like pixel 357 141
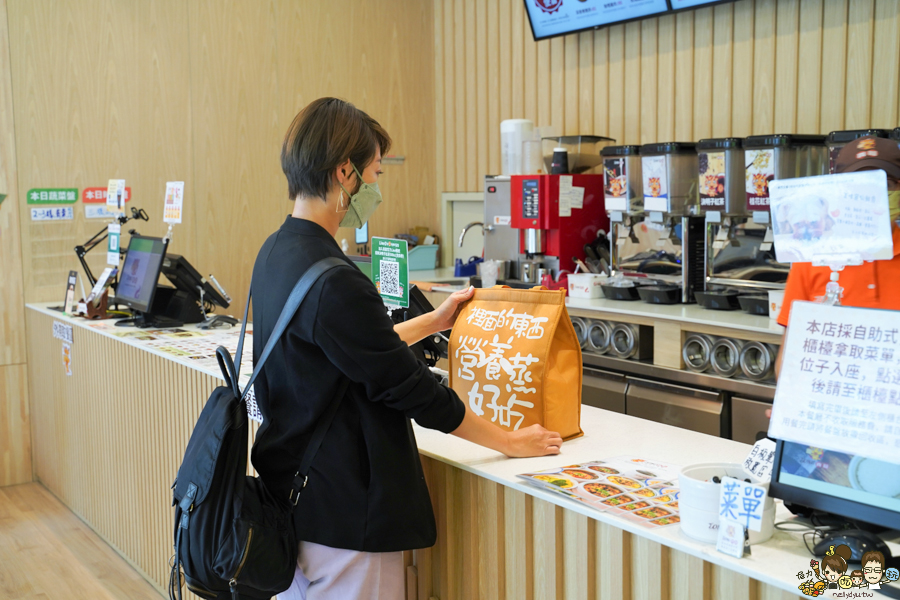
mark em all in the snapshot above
pixel 551 224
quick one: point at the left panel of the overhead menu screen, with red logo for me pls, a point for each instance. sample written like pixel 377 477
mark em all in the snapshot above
pixel 550 18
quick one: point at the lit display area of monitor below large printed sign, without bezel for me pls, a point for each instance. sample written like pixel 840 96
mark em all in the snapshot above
pixel 841 475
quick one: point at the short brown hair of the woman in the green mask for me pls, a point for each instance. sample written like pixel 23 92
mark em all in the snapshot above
pixel 323 135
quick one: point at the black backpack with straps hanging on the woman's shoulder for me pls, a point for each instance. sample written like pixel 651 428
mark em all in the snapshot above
pixel 233 538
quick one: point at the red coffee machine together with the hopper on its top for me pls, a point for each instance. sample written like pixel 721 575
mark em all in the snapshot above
pixel 557 215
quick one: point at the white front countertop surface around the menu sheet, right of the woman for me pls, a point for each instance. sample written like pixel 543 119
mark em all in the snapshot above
pixel 609 434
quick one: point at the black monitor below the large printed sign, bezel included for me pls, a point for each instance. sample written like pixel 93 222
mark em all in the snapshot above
pixel 849 486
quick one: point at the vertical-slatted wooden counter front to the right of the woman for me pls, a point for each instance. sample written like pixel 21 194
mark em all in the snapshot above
pixel 497 542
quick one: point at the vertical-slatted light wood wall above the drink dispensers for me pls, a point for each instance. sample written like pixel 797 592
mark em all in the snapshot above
pixel 744 68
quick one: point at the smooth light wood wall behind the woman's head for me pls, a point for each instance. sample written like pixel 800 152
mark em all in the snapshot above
pixel 203 91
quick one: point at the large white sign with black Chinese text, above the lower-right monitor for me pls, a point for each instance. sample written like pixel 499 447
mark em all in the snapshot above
pixel 840 381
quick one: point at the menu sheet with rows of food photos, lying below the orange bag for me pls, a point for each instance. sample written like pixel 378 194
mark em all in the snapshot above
pixel 634 488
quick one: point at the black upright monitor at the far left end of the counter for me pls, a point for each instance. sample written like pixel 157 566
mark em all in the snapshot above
pixel 137 283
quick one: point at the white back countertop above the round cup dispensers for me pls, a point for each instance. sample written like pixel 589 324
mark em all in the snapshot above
pixel 684 313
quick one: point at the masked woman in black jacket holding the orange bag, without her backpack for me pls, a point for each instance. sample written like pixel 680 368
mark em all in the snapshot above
pixel 366 498
